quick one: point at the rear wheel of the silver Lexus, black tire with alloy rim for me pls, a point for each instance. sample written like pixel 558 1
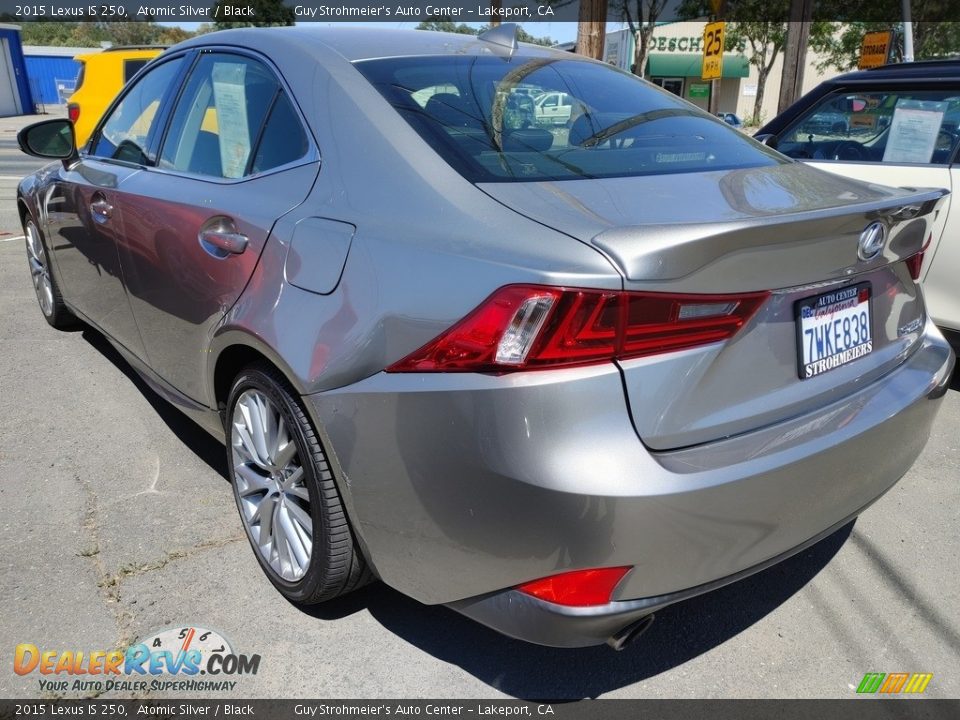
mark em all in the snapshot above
pixel 280 474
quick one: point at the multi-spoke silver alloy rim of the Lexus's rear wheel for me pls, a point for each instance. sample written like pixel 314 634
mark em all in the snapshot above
pixel 270 486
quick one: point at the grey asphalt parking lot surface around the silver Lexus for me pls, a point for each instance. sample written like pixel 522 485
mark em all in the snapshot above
pixel 118 521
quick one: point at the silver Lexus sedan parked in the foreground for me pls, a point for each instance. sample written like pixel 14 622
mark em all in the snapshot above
pixel 555 376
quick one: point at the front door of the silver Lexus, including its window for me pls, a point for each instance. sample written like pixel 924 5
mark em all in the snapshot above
pixel 81 208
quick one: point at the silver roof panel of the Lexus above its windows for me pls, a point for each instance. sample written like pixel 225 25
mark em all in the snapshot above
pixel 361 43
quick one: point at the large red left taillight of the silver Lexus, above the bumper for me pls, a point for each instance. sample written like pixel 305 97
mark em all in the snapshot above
pixel 525 327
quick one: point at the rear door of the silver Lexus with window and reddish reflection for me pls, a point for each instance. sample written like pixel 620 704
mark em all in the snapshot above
pixel 235 158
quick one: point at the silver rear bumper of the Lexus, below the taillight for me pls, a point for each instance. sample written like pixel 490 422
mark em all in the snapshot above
pixel 463 486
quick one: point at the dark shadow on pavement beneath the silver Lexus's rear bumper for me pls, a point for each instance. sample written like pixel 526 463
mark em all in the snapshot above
pixel 681 632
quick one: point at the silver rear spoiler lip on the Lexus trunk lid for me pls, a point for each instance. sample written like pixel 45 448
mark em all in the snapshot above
pixel 778 250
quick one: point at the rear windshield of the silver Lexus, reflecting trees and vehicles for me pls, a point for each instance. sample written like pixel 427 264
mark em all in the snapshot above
pixel 542 118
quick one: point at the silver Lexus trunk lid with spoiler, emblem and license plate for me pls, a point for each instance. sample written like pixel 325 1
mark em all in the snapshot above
pixel 788 229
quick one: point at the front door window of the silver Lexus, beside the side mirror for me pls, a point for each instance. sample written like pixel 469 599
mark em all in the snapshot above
pixel 125 133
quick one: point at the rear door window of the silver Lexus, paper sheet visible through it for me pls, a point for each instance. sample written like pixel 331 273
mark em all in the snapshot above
pixel 217 122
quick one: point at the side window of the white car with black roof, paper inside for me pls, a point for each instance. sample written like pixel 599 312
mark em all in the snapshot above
pixel 886 126
